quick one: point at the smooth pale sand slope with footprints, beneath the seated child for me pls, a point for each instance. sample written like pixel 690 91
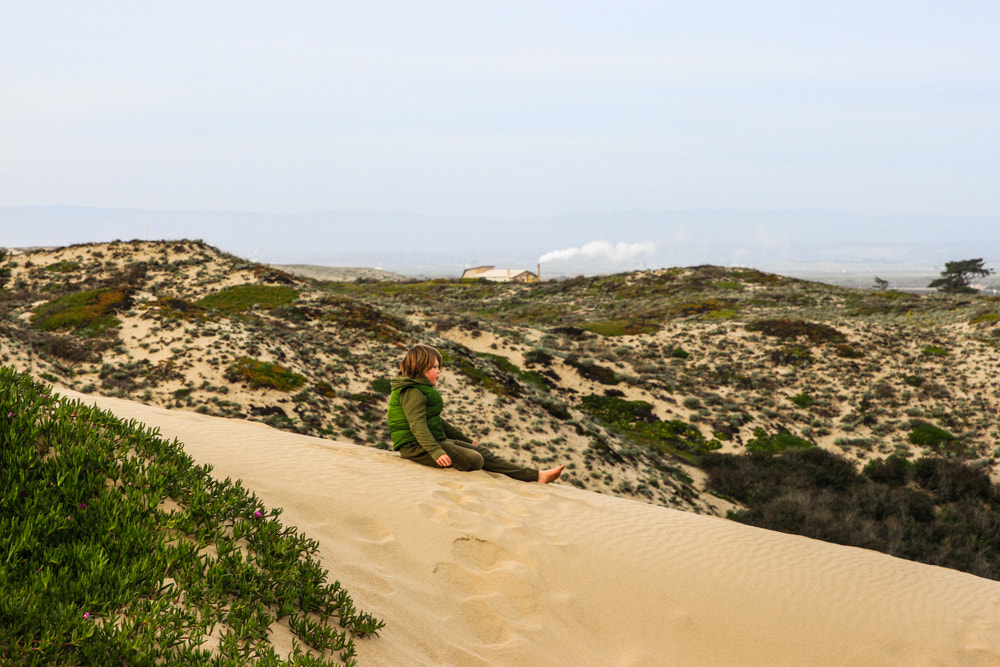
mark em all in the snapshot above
pixel 475 569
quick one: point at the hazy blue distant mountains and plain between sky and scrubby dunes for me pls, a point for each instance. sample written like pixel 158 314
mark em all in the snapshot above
pixel 433 245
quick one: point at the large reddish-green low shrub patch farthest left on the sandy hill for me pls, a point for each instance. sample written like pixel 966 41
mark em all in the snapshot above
pixel 87 314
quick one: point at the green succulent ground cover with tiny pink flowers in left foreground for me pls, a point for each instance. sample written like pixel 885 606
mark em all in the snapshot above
pixel 115 548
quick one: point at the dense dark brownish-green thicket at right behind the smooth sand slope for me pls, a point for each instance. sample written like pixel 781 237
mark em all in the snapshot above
pixel 935 511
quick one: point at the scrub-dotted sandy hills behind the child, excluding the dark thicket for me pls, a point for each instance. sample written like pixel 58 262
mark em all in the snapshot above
pixel 643 383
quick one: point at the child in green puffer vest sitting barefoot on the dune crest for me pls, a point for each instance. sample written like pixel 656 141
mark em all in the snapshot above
pixel 419 433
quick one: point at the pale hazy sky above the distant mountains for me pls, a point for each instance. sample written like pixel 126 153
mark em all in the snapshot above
pixel 505 109
